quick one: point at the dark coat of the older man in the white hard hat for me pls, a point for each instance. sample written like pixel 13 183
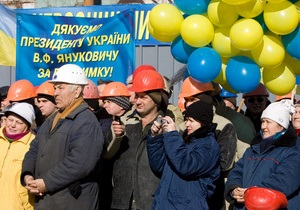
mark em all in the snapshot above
pixel 66 158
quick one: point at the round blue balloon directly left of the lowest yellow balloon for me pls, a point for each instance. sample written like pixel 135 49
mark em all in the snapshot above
pixel 242 74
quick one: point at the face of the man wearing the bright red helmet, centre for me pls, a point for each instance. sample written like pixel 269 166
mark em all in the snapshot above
pixel 145 105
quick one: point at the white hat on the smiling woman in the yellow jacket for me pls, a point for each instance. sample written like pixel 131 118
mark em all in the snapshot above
pixel 24 110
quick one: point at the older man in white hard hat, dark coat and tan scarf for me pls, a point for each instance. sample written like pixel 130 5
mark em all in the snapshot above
pixel 61 166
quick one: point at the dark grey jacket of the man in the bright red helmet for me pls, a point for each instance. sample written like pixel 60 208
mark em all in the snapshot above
pixel 132 175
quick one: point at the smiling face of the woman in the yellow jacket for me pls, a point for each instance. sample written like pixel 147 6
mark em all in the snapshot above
pixel 15 125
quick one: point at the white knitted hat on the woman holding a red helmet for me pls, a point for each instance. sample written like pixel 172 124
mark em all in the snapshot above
pixel 279 112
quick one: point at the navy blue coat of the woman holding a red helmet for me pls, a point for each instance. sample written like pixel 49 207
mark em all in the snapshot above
pixel 276 167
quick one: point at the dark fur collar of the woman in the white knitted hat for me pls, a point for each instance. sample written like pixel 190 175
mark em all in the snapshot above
pixel 288 139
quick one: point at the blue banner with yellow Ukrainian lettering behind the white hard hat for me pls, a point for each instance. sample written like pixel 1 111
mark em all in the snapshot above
pixel 104 48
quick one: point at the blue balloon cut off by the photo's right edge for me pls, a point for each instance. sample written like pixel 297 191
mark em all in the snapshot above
pixel 291 42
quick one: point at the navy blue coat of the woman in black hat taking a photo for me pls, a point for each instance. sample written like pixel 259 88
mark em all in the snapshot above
pixel 188 170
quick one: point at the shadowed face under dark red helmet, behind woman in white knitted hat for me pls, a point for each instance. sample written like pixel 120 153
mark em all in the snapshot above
pixel 256 104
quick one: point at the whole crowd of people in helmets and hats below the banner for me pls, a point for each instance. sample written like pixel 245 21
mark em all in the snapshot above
pixel 72 144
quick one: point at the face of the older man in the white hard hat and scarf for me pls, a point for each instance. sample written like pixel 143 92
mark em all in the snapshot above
pixel 65 94
